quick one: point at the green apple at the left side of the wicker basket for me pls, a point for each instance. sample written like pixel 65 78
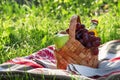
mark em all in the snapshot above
pixel 60 40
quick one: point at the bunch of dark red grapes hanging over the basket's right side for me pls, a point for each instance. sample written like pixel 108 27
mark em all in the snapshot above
pixel 87 38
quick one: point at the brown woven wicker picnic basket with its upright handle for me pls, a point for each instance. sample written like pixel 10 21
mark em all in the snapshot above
pixel 73 52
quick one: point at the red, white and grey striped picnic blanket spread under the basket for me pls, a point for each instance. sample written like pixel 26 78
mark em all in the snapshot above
pixel 42 64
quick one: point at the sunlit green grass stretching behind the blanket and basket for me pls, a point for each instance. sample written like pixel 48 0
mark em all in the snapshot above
pixel 27 28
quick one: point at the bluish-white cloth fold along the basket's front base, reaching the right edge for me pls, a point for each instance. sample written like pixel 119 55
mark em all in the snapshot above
pixel 105 68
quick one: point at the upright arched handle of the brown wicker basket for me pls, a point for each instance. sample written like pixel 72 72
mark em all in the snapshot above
pixel 72 27
